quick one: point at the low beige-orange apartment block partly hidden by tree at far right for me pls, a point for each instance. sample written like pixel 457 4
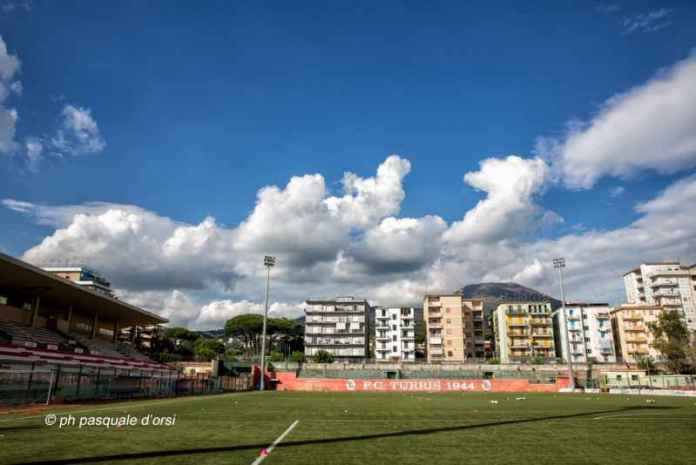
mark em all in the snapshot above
pixel 632 336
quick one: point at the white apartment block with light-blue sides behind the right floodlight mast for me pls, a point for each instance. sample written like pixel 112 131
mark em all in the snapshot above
pixel 589 333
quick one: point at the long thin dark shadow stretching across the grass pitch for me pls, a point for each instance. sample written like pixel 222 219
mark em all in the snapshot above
pixel 364 437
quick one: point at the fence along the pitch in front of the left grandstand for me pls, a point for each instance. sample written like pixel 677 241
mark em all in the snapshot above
pixel 24 384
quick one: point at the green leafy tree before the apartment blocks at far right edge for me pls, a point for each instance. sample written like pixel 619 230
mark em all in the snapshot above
pixel 671 339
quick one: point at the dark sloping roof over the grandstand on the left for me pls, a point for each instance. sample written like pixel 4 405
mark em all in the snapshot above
pixel 59 292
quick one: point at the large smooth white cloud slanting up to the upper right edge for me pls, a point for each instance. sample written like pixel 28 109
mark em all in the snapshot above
pixel 650 127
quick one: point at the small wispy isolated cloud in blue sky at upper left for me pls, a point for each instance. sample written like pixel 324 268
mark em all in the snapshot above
pixel 79 133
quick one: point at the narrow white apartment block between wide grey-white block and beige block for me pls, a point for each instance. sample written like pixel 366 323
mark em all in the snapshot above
pixel 395 333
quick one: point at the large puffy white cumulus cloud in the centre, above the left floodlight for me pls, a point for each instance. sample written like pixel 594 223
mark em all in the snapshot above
pixel 304 225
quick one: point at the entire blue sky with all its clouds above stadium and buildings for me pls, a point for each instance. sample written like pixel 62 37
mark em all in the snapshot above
pixel 377 149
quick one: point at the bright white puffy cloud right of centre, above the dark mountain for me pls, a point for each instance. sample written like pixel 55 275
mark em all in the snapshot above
pixel 510 185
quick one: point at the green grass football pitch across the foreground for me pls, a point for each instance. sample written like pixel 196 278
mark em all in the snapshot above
pixel 366 429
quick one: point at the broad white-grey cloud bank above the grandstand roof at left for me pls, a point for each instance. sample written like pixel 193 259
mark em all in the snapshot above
pixel 136 248
